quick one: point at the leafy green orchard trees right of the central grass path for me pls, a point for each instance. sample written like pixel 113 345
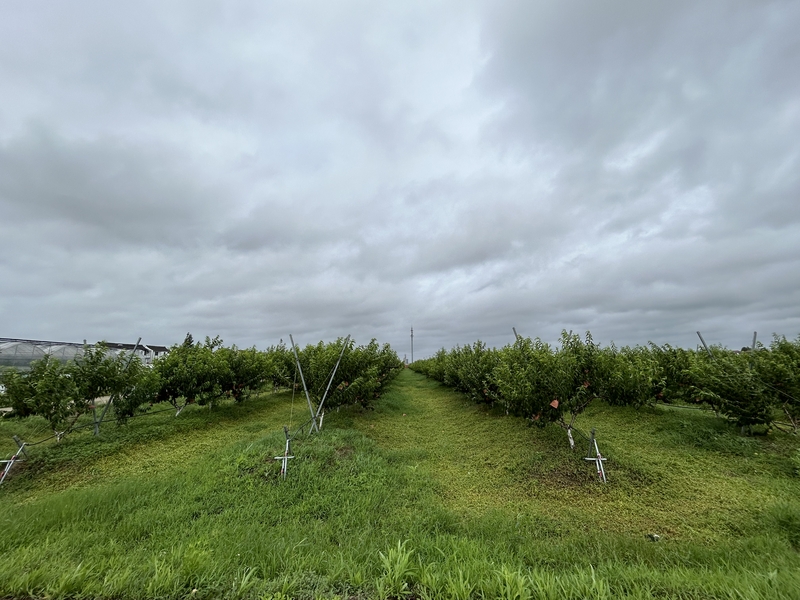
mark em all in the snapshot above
pixel 549 384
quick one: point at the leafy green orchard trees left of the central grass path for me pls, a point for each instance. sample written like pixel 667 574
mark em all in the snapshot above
pixel 192 372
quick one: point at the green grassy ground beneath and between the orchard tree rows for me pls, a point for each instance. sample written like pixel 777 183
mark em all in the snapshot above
pixel 428 495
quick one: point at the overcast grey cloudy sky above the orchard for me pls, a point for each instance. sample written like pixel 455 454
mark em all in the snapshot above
pixel 254 169
